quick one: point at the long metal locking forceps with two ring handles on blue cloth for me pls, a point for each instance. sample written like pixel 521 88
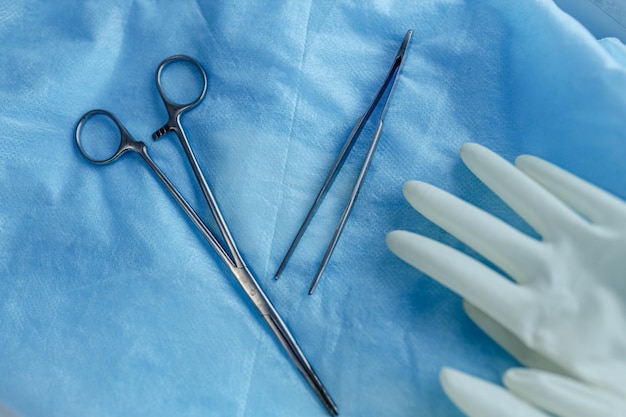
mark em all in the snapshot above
pixel 229 254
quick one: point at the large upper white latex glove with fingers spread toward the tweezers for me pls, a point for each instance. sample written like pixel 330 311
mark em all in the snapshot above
pixel 568 305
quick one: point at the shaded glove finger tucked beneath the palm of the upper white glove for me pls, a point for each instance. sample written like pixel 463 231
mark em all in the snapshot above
pixel 509 341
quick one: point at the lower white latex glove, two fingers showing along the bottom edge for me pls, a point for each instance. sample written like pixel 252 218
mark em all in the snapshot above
pixel 529 392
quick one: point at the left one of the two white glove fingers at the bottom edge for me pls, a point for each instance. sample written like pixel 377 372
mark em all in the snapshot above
pixel 479 398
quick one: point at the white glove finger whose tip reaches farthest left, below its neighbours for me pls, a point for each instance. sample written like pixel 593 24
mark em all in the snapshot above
pixel 482 286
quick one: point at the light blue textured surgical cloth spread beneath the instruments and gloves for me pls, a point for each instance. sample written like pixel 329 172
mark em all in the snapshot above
pixel 111 304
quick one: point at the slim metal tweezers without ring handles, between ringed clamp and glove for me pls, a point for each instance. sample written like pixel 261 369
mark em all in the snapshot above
pixel 341 158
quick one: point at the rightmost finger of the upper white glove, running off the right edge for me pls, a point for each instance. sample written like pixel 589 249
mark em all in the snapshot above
pixel 584 197
